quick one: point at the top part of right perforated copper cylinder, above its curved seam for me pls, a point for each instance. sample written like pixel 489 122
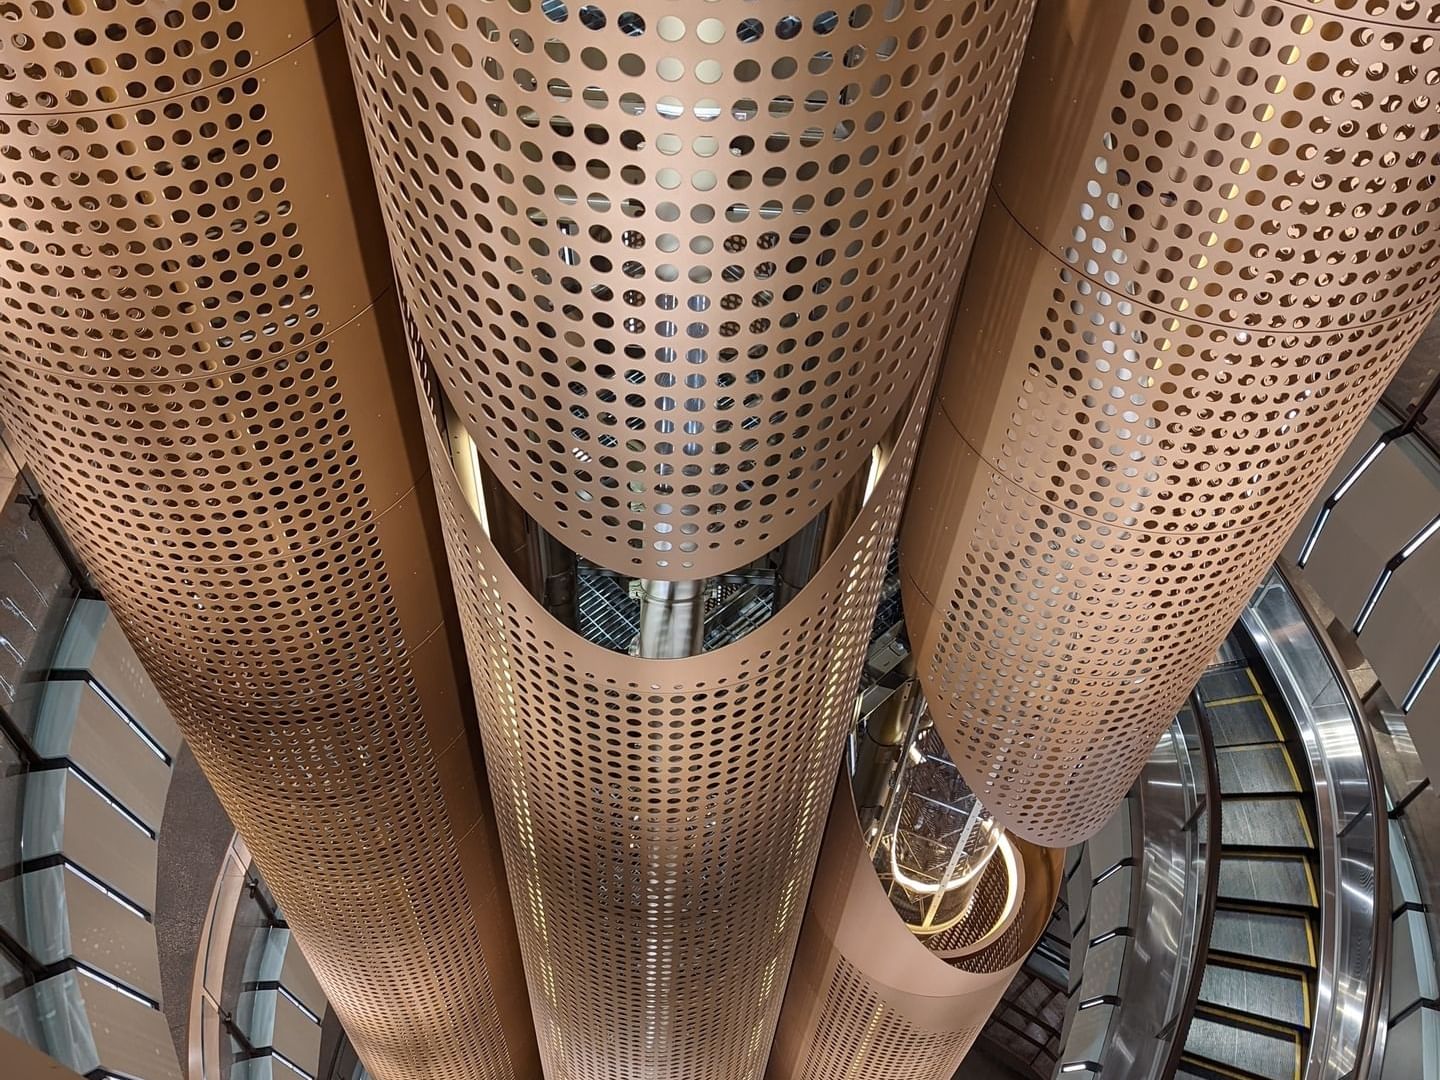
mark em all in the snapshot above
pixel 1264 166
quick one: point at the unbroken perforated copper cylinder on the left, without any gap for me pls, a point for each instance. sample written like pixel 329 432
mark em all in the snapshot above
pixel 194 354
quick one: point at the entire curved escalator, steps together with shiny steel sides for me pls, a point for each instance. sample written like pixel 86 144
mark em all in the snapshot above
pixel 1245 886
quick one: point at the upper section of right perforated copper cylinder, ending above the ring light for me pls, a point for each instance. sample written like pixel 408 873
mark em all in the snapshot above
pixel 1212 241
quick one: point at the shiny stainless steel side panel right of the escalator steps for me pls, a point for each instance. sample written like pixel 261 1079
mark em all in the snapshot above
pixel 1354 875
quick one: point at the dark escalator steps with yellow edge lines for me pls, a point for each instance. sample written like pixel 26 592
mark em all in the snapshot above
pixel 1258 990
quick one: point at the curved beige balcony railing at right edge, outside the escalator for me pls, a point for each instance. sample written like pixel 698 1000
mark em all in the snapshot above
pixel 1366 559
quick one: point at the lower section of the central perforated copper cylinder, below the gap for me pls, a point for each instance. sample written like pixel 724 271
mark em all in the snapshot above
pixel 662 817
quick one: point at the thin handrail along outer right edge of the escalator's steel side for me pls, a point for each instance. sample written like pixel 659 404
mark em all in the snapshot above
pixel 1377 999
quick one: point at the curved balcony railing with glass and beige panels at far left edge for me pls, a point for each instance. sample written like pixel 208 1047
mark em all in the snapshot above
pixel 86 765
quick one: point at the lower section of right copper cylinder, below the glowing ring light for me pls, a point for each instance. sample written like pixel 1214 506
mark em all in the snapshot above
pixel 868 999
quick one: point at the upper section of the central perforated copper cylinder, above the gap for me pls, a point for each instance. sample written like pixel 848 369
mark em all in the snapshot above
pixel 680 270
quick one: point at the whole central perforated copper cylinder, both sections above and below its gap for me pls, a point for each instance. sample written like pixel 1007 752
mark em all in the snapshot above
pixel 679 273
